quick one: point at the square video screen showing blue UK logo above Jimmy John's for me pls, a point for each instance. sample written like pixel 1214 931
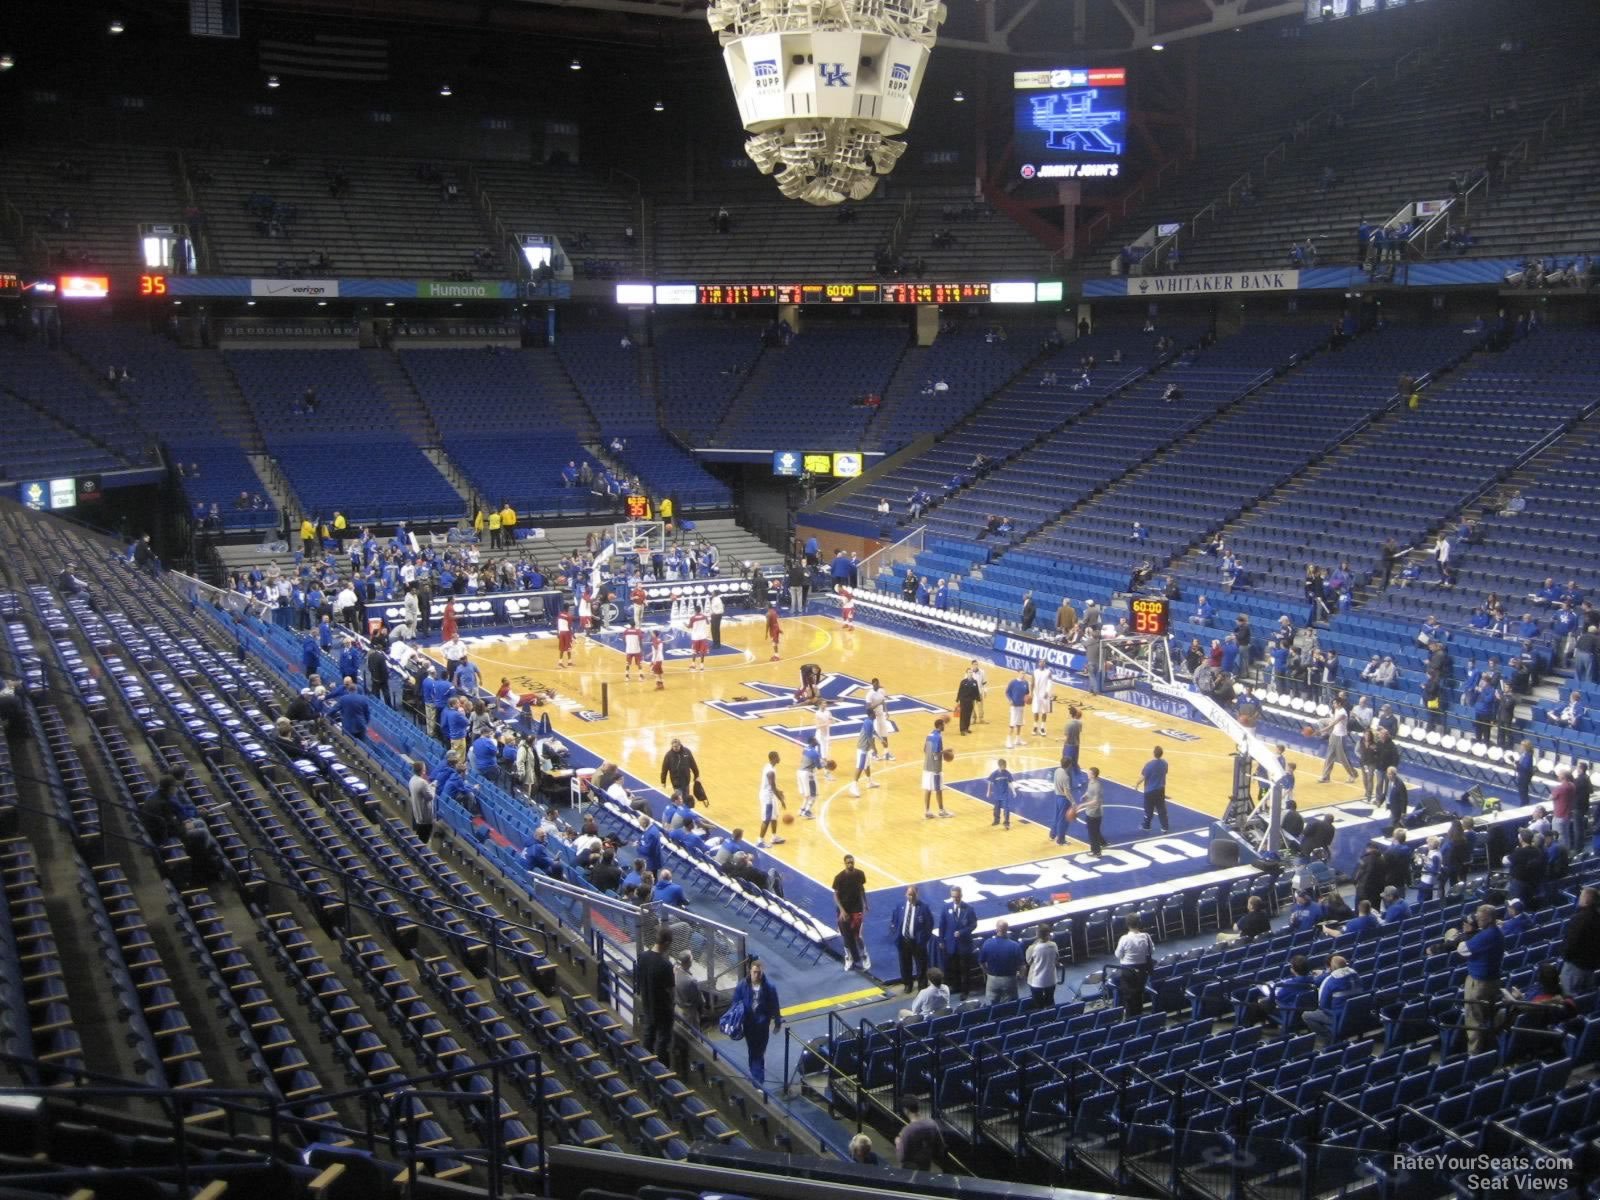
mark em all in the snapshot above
pixel 1071 122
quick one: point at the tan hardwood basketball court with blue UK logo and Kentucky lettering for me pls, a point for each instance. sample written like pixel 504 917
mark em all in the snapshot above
pixel 743 706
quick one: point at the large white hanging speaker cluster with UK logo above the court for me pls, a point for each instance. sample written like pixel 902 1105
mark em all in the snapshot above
pixel 825 86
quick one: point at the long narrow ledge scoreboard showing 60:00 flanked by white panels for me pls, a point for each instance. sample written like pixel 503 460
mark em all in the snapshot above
pixel 842 292
